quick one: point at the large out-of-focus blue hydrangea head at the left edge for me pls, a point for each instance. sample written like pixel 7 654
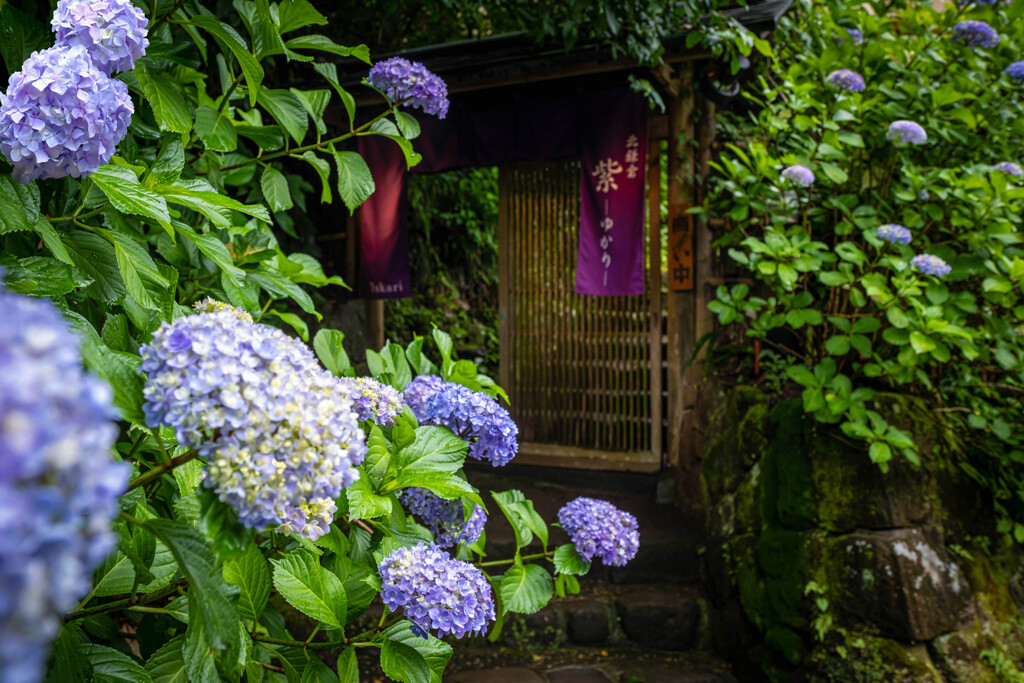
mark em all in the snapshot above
pixel 60 487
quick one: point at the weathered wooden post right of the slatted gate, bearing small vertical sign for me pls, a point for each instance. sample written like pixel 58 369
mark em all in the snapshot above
pixel 681 305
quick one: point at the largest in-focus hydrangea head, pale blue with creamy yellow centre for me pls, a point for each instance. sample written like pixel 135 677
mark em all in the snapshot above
pixel 279 433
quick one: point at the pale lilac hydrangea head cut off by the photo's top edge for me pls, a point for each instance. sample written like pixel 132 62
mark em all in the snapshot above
pixel 112 31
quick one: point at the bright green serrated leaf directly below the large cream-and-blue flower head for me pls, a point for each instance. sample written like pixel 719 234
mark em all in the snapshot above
pixel 311 589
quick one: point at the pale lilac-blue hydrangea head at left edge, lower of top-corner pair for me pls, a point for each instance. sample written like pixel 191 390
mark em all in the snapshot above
pixel 62 116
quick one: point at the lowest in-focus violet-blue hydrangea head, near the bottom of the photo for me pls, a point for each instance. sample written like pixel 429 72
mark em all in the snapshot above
pixel 439 593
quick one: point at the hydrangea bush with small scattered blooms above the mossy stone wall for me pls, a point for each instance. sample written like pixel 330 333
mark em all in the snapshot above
pixel 900 269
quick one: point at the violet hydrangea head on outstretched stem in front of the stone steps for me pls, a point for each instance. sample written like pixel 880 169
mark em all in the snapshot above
pixel 600 530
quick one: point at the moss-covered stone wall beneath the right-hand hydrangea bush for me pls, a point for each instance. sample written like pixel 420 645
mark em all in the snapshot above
pixel 825 569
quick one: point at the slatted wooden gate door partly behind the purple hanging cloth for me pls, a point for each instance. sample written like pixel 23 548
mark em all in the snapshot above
pixel 578 368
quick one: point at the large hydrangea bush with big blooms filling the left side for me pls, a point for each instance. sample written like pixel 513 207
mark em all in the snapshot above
pixel 150 167
